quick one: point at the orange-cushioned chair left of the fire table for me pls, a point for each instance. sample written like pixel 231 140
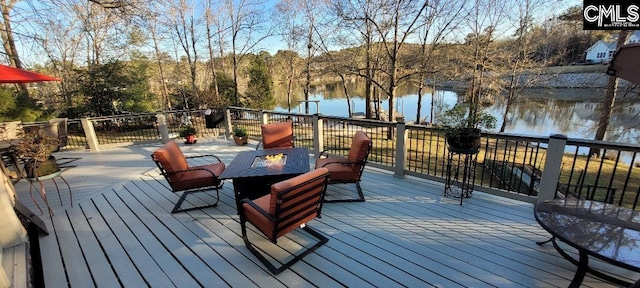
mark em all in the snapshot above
pixel 183 178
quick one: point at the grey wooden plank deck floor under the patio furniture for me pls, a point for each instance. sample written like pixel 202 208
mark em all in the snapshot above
pixel 119 232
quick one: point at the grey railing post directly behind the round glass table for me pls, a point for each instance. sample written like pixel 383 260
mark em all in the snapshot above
pixel 552 167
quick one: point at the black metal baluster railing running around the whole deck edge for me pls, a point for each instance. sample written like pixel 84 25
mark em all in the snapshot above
pixel 507 164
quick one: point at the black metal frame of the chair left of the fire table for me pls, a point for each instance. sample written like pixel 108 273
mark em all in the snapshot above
pixel 186 192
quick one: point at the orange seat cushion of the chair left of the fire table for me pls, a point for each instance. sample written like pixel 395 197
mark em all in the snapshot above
pixel 198 178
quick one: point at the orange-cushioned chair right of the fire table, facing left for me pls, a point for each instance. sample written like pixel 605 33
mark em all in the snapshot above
pixel 347 169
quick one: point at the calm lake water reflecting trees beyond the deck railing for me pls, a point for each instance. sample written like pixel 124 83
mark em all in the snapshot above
pixel 573 112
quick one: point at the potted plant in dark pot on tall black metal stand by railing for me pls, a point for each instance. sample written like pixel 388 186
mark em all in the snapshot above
pixel 463 123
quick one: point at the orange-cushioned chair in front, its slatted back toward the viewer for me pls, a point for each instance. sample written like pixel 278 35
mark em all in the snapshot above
pixel 291 204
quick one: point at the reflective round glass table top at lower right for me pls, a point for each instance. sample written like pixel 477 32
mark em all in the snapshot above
pixel 606 231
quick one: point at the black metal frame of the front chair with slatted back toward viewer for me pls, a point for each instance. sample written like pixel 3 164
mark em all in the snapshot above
pixel 276 220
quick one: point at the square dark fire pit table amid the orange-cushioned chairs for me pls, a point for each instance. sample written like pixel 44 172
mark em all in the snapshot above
pixel 253 178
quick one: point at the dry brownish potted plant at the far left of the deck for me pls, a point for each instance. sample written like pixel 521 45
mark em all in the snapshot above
pixel 35 150
